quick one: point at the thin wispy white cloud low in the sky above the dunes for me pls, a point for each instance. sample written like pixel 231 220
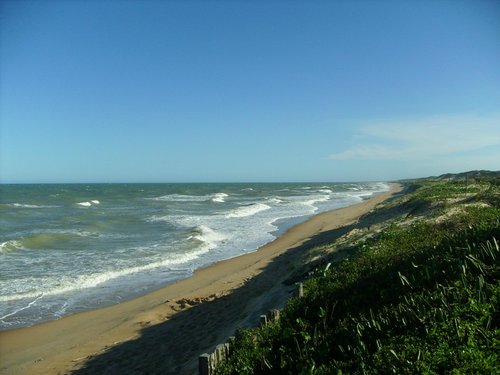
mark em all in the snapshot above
pixel 436 137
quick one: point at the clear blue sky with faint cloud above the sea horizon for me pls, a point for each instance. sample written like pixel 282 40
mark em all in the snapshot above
pixel 221 91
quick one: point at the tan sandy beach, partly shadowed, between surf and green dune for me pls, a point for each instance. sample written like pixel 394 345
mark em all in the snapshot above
pixel 165 331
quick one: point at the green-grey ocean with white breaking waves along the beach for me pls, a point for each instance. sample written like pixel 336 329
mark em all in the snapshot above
pixel 66 248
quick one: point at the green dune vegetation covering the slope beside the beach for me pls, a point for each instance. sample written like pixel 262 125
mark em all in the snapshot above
pixel 419 293
